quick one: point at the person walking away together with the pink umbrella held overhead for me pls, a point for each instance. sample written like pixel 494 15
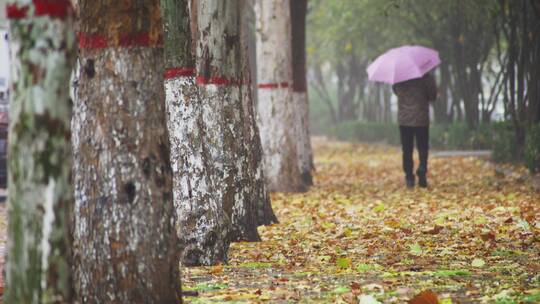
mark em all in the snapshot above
pixel 407 68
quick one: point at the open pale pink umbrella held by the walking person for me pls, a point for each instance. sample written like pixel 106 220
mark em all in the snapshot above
pixel 403 63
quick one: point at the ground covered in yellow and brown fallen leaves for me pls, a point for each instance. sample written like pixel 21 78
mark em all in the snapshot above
pixel 359 236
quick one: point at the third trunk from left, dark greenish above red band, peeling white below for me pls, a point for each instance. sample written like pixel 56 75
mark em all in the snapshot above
pixel 204 230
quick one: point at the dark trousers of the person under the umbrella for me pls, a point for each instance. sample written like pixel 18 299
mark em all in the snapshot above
pixel 407 145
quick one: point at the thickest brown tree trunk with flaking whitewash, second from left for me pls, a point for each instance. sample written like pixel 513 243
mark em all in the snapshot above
pixel 125 245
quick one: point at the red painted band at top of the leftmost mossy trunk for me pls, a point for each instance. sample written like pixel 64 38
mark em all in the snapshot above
pixel 51 8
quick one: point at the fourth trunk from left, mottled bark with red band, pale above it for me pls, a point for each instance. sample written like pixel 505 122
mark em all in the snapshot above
pixel 224 86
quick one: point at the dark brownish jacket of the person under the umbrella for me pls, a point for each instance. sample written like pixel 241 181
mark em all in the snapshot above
pixel 413 100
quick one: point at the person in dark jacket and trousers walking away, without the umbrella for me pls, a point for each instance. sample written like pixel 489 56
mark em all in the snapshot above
pixel 414 97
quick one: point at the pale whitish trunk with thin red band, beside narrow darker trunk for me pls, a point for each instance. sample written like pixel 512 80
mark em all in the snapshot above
pixel 275 107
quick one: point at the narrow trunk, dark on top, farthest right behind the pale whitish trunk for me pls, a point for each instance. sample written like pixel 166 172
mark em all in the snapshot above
pixel 300 97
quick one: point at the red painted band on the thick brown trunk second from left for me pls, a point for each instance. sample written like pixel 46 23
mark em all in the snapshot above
pixel 98 41
